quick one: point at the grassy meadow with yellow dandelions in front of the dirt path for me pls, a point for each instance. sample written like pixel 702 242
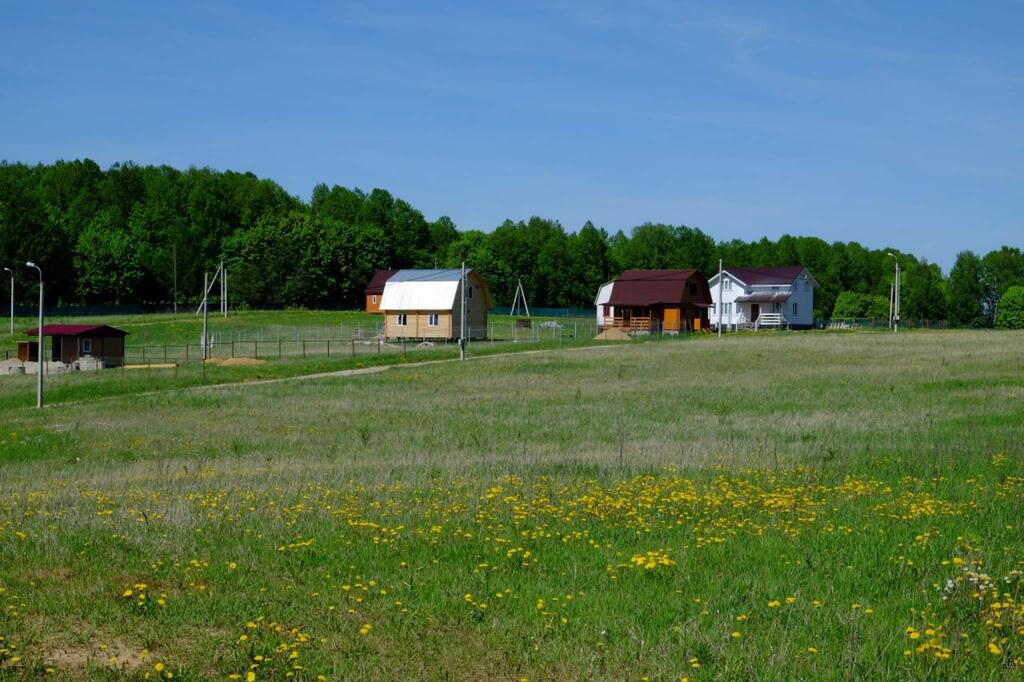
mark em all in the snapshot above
pixel 776 506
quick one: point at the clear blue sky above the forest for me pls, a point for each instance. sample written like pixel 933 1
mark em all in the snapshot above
pixel 891 124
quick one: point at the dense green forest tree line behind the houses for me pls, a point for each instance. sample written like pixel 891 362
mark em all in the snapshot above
pixel 127 234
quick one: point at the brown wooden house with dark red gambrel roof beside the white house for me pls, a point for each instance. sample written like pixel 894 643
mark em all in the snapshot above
pixel 655 302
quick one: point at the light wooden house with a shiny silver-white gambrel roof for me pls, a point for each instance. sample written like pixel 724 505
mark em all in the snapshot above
pixel 428 305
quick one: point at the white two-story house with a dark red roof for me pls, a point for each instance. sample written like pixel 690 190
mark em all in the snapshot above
pixel 763 297
